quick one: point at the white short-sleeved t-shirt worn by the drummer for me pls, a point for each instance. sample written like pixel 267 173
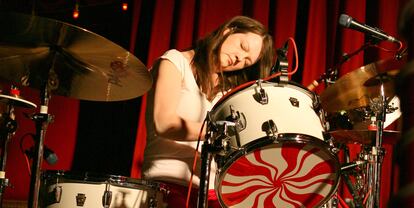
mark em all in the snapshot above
pixel 167 159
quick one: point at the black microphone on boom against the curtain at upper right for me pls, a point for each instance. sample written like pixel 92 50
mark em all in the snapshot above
pixel 349 22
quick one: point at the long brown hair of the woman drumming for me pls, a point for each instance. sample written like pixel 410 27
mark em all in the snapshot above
pixel 206 57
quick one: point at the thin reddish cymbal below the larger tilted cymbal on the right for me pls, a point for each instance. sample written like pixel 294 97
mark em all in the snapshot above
pixel 363 136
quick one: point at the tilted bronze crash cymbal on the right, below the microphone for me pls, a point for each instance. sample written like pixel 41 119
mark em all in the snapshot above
pixel 353 91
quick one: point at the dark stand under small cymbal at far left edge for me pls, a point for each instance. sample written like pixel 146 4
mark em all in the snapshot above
pixel 7 130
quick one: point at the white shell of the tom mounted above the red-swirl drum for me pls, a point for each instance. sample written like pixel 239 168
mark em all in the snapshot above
pixel 280 108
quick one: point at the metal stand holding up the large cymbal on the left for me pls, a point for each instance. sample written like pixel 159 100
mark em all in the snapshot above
pixel 42 120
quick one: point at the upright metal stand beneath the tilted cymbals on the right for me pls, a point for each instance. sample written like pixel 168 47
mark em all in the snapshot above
pixel 377 154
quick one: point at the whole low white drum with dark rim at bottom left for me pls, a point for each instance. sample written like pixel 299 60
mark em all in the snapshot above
pixel 68 189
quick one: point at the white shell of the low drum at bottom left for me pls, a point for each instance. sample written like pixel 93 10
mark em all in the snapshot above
pixel 134 193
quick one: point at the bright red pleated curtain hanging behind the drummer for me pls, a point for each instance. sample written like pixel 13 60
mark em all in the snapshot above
pixel 313 25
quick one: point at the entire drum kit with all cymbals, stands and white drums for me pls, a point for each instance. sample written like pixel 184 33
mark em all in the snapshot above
pixel 275 143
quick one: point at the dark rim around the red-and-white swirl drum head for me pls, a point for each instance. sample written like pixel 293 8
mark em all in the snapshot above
pixel 261 142
